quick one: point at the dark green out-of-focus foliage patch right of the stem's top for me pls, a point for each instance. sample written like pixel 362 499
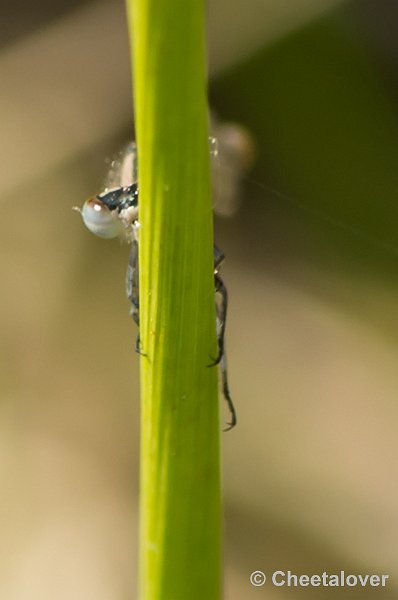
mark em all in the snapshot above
pixel 326 127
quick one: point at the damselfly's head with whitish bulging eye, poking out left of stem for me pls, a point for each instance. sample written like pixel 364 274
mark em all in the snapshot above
pixel 114 212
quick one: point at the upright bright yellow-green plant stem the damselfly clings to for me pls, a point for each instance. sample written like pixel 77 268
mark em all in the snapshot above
pixel 180 505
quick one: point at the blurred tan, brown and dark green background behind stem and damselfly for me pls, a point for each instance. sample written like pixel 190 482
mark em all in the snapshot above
pixel 310 473
